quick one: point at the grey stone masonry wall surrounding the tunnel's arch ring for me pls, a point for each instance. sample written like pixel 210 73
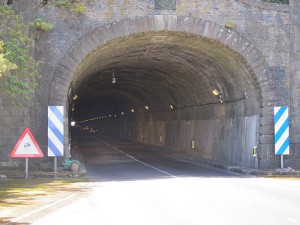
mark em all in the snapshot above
pixel 265 25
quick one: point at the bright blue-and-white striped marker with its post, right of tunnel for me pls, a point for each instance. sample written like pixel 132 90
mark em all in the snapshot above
pixel 282 137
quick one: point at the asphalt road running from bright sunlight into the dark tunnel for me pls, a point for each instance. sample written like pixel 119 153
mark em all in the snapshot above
pixel 137 185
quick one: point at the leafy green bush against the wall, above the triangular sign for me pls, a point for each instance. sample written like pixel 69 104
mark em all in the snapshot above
pixel 18 70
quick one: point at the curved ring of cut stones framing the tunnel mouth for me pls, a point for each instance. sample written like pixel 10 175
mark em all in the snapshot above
pixel 170 23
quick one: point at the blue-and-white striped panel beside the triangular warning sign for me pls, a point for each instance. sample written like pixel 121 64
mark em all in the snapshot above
pixel 55 131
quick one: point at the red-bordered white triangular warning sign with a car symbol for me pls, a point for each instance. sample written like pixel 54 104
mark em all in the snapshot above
pixel 26 147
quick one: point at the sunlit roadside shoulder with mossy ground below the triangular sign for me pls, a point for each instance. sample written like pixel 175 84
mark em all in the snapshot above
pixel 22 201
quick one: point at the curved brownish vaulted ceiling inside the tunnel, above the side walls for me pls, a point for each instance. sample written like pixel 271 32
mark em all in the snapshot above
pixel 159 69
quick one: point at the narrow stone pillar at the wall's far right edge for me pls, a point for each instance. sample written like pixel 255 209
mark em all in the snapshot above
pixel 295 83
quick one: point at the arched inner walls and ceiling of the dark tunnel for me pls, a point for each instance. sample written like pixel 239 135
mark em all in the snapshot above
pixel 187 93
